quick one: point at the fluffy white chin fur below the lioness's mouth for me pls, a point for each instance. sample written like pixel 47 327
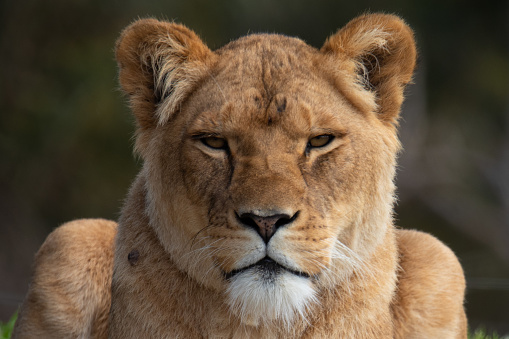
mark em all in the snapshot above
pixel 256 299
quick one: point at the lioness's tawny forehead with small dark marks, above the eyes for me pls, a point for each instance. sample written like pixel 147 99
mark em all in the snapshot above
pixel 263 79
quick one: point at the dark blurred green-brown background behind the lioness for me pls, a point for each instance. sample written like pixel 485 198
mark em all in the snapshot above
pixel 66 132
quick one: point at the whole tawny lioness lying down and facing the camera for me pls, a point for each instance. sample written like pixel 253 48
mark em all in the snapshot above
pixel 264 205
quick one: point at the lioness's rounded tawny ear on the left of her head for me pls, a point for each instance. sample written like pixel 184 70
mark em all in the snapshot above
pixel 160 63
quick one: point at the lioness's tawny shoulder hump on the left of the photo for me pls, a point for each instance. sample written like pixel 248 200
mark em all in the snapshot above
pixel 69 293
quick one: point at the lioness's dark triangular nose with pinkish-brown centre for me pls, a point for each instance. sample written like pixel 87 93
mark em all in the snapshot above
pixel 266 226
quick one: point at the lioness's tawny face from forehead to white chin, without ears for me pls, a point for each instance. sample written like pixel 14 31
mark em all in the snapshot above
pixel 276 165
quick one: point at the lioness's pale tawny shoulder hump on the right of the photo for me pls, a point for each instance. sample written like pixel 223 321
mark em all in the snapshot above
pixel 431 288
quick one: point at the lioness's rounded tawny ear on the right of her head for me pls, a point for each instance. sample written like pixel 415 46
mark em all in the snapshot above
pixel 378 51
